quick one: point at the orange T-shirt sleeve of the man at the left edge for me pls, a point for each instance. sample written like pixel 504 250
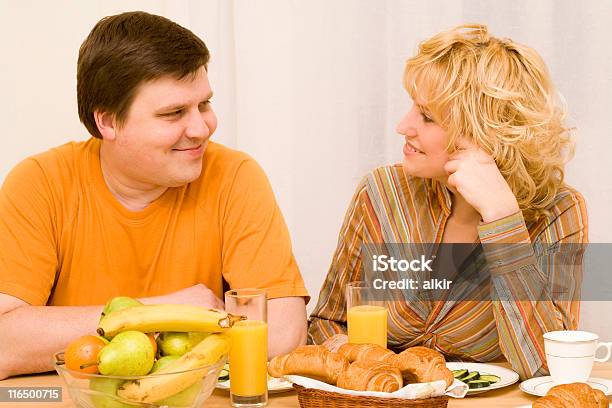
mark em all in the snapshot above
pixel 28 256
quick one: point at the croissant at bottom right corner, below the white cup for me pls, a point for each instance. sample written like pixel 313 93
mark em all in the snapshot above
pixel 575 395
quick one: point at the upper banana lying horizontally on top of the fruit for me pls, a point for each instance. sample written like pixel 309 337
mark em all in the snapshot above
pixel 158 318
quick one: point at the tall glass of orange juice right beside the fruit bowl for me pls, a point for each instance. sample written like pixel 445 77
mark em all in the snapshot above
pixel 248 357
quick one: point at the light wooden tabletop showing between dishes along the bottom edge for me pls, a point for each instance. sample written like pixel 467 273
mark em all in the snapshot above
pixel 507 397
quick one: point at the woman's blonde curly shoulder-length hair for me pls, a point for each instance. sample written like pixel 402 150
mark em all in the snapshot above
pixel 499 95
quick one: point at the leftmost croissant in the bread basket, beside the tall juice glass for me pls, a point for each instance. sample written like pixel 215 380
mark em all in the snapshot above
pixel 311 361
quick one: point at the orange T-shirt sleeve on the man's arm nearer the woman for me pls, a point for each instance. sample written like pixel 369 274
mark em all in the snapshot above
pixel 256 244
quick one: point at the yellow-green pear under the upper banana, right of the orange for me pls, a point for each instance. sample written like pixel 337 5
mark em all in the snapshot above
pixel 129 353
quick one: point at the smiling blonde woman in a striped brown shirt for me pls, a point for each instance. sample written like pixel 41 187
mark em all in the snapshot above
pixel 484 151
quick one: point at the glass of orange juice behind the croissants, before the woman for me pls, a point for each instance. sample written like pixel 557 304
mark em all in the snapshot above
pixel 366 316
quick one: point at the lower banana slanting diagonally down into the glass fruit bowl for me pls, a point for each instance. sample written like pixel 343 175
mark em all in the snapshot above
pixel 157 386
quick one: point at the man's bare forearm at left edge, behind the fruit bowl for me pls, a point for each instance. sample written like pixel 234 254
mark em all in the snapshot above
pixel 30 335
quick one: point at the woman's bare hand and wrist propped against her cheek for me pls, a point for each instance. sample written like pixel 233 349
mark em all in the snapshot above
pixel 474 174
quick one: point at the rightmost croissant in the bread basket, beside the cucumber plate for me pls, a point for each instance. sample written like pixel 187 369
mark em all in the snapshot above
pixel 421 364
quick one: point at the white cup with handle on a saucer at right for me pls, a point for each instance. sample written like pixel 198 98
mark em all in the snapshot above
pixel 570 355
